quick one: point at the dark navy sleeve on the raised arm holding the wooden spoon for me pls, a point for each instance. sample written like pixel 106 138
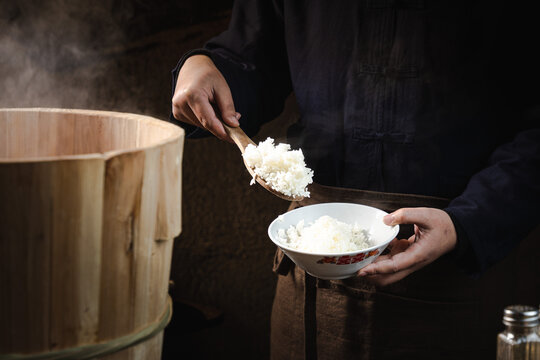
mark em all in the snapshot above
pixel 252 57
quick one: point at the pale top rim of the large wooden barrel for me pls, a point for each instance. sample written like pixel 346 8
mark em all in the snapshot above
pixel 176 133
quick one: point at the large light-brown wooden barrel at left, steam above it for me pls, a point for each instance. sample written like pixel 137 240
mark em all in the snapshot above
pixel 89 205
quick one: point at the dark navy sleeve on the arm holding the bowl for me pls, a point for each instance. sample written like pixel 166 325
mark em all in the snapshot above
pixel 499 205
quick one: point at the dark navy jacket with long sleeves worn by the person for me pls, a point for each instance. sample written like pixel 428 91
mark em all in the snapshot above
pixel 402 96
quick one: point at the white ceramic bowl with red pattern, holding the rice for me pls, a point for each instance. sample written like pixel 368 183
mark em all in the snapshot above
pixel 336 265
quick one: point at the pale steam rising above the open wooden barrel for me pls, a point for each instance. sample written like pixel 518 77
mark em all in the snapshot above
pixel 52 52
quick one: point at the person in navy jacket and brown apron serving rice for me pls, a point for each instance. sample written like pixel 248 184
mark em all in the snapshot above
pixel 427 110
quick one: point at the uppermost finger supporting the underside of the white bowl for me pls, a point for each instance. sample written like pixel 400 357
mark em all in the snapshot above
pixel 395 263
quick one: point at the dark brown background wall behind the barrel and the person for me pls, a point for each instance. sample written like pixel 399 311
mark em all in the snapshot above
pixel 117 55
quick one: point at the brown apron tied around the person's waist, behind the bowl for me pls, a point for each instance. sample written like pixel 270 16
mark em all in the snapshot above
pixel 435 313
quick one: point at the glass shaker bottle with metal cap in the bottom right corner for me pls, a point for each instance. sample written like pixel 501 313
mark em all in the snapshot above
pixel 520 340
